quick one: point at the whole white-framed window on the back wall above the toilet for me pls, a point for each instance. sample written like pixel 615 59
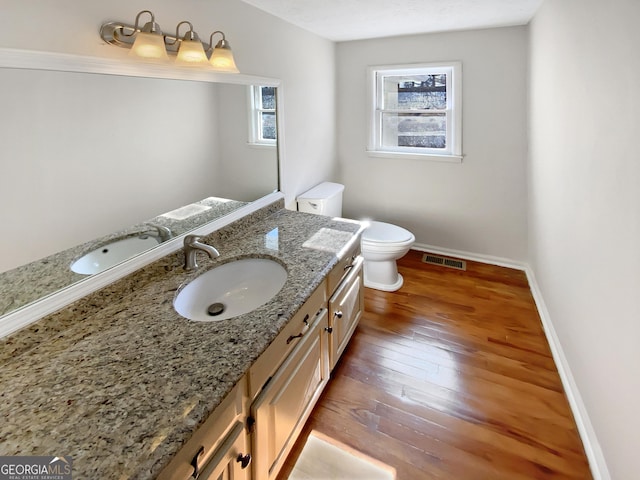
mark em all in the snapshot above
pixel 416 111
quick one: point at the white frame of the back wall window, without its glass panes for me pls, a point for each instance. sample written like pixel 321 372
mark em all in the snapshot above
pixel 453 112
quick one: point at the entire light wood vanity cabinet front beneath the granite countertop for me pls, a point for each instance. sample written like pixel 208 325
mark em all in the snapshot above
pixel 251 433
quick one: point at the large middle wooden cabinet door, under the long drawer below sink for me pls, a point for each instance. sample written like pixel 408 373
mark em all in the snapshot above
pixel 285 403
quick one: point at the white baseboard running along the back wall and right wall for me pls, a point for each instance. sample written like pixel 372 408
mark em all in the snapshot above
pixel 593 451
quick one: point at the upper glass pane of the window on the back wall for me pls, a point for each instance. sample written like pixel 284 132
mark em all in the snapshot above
pixel 415 92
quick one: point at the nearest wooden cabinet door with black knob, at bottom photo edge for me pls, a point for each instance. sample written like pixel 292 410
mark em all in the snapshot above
pixel 231 460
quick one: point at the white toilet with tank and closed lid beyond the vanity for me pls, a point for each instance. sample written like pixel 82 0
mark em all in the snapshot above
pixel 382 243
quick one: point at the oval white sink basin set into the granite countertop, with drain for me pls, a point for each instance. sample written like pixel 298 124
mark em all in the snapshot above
pixel 230 290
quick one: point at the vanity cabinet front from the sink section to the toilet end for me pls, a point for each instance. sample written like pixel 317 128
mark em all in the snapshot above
pixel 286 397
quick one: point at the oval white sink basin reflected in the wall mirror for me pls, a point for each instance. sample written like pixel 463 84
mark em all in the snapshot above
pixel 113 253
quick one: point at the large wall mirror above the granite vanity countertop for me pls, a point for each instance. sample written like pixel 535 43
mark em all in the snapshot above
pixel 112 163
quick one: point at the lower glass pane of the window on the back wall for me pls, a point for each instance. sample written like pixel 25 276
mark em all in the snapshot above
pixel 424 130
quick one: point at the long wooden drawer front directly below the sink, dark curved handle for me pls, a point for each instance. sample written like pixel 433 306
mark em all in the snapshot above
pixel 284 343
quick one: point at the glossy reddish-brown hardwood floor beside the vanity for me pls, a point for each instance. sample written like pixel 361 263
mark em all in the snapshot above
pixel 451 377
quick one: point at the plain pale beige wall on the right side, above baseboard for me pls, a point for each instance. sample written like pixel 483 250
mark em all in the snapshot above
pixel 584 209
